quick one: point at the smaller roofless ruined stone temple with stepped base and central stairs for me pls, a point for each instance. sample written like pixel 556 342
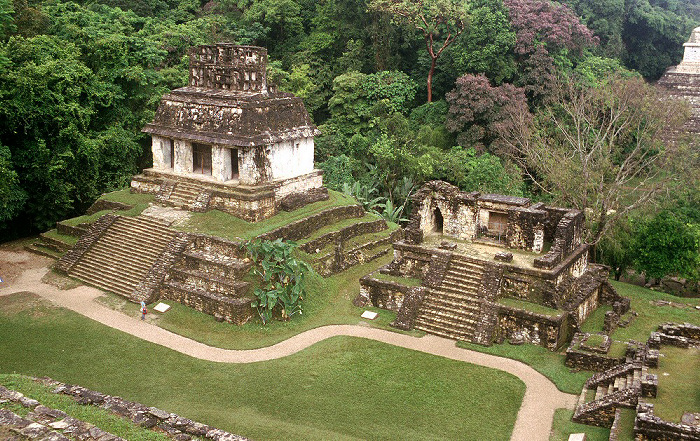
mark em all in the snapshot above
pixel 485 267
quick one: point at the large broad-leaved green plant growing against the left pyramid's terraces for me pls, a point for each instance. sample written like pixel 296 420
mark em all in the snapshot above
pixel 282 276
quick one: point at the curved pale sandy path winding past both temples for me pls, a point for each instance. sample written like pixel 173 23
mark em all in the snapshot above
pixel 534 419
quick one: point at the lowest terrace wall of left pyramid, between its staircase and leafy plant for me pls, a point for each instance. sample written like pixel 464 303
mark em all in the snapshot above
pixel 236 310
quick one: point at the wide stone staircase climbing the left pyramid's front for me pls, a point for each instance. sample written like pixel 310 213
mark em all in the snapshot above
pixel 121 258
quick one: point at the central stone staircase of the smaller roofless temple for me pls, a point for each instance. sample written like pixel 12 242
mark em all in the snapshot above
pixel 452 309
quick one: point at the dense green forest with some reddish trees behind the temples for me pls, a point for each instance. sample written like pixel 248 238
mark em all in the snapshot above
pixel 485 94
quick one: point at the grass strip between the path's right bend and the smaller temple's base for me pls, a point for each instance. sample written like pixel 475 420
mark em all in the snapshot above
pixel 548 363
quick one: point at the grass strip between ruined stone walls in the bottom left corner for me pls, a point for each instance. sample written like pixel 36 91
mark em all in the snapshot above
pixel 91 414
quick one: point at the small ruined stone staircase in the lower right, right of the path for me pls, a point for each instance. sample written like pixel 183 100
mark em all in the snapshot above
pixel 617 387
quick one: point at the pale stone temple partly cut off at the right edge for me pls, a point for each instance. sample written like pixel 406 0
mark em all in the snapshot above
pixel 683 81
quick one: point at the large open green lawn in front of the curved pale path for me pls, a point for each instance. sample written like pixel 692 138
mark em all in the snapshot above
pixel 342 388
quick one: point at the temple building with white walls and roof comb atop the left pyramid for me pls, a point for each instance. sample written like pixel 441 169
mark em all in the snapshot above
pixel 228 141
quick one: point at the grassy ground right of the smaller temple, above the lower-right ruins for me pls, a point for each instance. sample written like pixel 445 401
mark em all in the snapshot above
pixel 650 316
